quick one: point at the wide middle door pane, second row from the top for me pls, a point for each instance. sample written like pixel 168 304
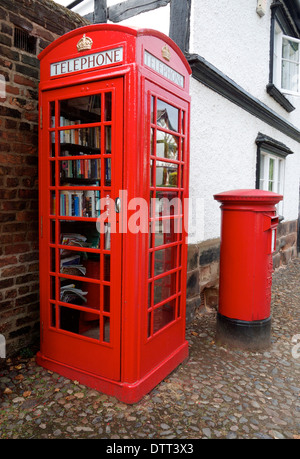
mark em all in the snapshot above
pixel 80 141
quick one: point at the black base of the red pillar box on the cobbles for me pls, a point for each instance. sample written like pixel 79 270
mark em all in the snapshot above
pixel 252 336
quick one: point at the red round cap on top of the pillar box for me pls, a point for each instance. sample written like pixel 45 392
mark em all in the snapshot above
pixel 248 197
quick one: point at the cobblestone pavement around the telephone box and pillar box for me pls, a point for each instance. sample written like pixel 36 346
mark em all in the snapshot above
pixel 216 393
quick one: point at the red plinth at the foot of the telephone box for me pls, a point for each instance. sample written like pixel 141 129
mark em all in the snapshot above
pixel 125 392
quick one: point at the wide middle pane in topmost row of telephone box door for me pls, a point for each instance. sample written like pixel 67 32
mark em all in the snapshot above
pixel 81 110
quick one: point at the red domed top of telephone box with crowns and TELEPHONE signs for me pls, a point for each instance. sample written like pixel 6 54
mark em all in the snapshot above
pixel 97 47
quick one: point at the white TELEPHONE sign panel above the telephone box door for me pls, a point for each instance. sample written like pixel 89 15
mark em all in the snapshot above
pixel 89 61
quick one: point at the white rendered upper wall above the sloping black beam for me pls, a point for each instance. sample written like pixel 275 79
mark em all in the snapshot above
pixel 234 38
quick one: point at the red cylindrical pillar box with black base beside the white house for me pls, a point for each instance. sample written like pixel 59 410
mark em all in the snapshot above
pixel 248 239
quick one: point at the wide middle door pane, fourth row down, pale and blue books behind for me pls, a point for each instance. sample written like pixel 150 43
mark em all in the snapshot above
pixel 79 203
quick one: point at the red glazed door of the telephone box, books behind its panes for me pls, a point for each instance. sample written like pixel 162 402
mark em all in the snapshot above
pixel 80 245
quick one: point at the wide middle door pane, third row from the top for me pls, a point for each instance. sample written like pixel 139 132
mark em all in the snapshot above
pixel 80 169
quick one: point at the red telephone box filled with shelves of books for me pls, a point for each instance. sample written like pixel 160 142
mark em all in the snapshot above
pixel 114 154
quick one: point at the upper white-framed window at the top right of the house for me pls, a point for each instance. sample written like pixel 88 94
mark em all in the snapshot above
pixel 286 62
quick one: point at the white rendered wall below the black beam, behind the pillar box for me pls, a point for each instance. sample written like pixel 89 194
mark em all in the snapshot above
pixel 223 157
